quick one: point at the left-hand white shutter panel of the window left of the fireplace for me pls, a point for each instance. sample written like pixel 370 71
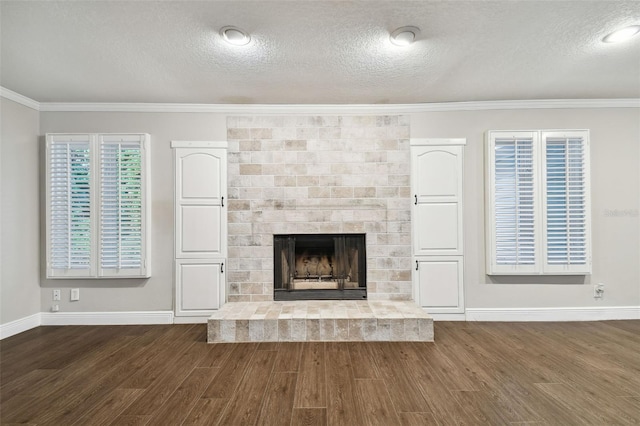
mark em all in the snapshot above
pixel 70 206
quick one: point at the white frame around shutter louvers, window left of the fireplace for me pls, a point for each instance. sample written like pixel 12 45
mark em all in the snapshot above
pixel 95 270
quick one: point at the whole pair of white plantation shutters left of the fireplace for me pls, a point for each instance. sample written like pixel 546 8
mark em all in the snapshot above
pixel 97 208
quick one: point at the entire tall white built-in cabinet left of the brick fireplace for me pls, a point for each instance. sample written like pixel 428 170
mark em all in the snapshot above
pixel 200 170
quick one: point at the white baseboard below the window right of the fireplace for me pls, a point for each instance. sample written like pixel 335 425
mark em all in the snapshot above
pixel 554 314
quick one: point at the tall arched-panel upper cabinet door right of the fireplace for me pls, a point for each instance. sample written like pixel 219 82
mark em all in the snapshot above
pixel 437 212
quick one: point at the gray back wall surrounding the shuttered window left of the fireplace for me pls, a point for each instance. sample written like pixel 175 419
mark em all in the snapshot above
pixel 155 293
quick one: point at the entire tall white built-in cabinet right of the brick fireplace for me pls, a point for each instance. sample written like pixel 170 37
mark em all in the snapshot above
pixel 436 181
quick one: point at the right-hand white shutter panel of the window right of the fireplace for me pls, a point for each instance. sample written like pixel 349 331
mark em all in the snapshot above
pixel 567 248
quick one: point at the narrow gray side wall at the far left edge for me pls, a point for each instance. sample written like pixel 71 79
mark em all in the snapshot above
pixel 20 257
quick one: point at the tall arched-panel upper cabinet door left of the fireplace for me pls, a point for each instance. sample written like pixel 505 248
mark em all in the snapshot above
pixel 201 222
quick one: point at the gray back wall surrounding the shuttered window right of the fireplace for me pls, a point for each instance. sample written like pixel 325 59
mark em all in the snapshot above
pixel 615 181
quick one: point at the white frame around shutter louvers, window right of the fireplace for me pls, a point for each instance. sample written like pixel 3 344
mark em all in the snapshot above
pixel 540 266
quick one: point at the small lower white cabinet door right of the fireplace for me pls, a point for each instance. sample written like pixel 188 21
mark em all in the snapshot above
pixel 440 284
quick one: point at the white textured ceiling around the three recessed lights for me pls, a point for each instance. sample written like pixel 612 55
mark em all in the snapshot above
pixel 316 52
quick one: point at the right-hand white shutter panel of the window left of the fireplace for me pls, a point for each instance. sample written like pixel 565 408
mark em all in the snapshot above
pixel 122 235
